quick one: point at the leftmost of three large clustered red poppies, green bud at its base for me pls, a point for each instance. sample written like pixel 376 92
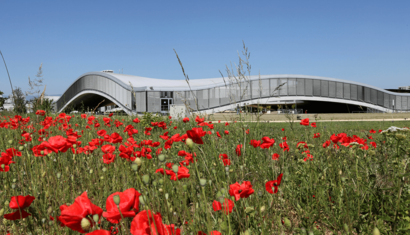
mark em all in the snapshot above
pixel 82 208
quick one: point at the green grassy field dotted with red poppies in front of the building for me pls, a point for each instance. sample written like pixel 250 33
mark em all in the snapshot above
pixel 155 175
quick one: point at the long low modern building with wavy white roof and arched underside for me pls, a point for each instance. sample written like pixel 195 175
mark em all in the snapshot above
pixel 135 94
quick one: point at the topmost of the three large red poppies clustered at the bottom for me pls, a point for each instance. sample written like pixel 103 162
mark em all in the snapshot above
pixel 129 205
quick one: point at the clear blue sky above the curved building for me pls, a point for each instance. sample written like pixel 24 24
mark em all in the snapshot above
pixel 363 41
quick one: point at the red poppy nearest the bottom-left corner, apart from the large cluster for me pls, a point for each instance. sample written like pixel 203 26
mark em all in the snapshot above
pixel 19 204
